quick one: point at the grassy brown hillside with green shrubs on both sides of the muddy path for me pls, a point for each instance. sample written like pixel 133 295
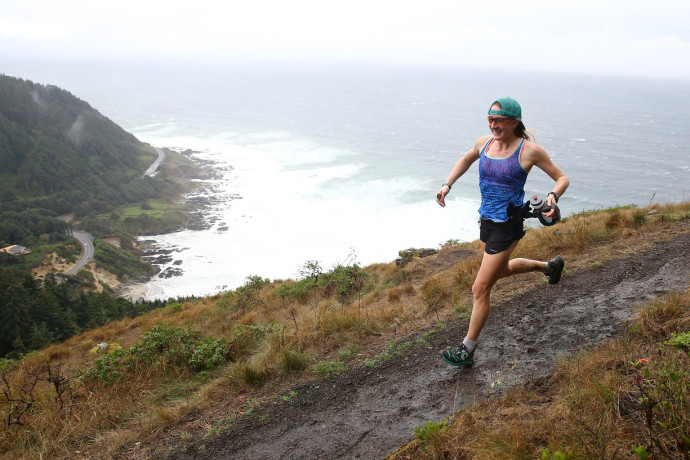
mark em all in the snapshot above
pixel 215 358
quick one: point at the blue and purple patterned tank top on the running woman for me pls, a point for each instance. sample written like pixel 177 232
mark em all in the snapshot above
pixel 502 182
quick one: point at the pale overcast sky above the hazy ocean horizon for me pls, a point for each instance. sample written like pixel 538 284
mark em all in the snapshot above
pixel 626 37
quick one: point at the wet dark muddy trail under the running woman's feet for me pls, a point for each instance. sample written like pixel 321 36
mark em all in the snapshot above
pixel 368 412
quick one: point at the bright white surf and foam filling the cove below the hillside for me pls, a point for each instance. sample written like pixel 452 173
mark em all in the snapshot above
pixel 299 201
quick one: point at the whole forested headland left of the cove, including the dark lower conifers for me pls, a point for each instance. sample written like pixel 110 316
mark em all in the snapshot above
pixel 59 156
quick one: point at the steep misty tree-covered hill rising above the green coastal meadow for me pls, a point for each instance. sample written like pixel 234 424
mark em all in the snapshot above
pixel 60 154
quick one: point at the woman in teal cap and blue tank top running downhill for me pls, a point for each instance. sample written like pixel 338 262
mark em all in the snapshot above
pixel 505 158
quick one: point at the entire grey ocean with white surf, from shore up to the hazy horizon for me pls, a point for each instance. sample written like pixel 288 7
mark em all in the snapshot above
pixel 340 163
